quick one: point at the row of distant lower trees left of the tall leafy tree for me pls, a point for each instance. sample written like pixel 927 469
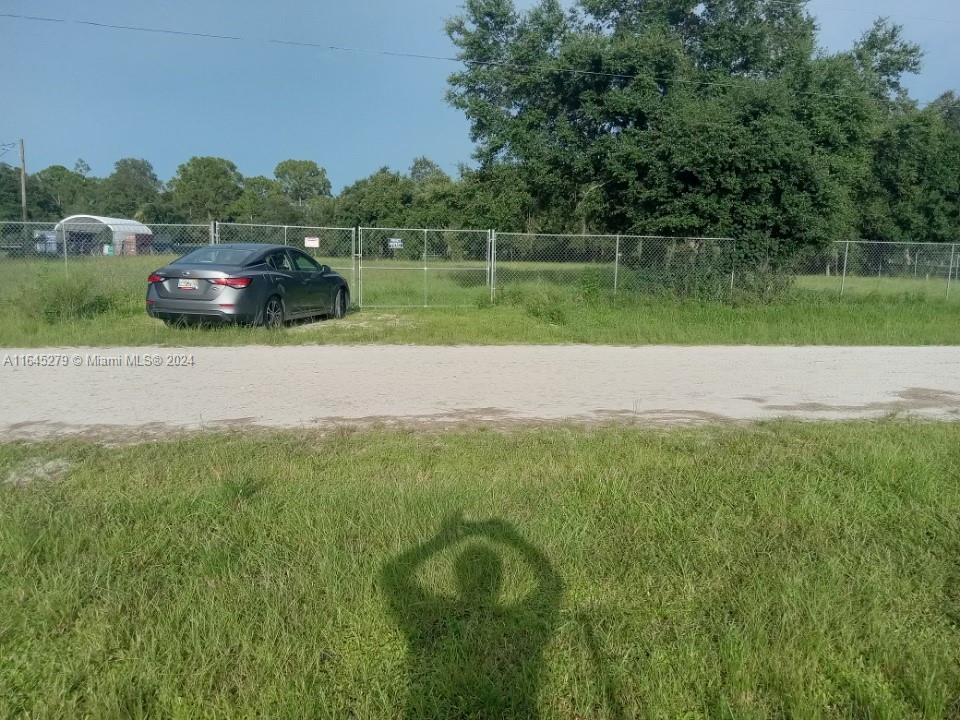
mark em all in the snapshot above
pixel 212 188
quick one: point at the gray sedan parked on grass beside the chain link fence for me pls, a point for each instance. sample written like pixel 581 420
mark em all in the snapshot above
pixel 259 284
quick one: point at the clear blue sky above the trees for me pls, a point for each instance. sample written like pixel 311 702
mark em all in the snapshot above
pixel 74 91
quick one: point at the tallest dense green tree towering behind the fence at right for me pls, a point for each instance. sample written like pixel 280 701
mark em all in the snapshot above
pixel 680 116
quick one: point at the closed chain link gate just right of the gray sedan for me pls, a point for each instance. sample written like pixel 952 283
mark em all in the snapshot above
pixel 423 267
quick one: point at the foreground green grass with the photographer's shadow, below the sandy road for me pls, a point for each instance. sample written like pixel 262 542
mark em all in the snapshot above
pixel 781 570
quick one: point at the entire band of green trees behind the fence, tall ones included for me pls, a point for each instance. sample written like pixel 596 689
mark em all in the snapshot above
pixel 675 117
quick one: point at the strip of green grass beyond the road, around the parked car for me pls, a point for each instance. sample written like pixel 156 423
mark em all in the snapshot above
pixel 99 301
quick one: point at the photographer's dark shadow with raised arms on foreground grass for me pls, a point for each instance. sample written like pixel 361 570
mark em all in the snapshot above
pixel 474 655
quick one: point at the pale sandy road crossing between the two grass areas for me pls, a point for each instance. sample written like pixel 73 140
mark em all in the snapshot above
pixel 310 385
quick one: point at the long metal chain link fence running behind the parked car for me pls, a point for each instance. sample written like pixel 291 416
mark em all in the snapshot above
pixel 423 267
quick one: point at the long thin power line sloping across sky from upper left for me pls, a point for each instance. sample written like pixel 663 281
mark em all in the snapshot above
pixel 418 56
